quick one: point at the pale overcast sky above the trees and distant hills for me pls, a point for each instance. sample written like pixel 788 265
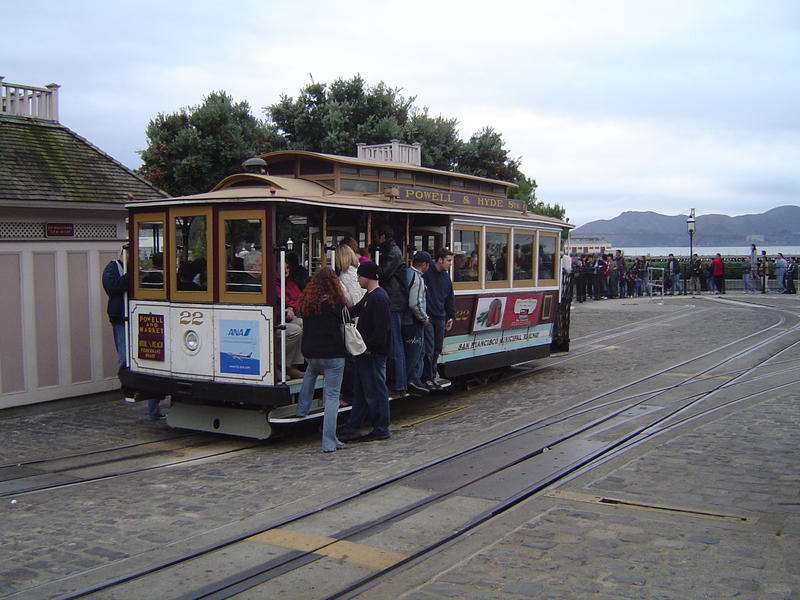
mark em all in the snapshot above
pixel 612 106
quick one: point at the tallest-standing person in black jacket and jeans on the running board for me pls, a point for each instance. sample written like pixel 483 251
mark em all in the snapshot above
pixel 393 280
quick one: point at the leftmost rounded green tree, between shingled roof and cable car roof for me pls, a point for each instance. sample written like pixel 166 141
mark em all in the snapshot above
pixel 190 151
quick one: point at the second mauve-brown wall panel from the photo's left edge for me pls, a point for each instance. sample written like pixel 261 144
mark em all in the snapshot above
pixel 44 294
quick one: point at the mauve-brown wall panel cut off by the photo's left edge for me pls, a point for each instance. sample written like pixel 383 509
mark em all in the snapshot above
pixel 11 364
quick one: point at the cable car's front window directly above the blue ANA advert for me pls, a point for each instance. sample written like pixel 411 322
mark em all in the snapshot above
pixel 243 253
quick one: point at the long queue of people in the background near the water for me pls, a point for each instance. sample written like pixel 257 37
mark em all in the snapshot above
pixel 599 276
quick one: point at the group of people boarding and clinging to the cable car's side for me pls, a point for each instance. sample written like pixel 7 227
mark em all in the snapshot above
pixel 402 314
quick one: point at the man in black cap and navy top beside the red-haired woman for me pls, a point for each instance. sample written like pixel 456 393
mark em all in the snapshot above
pixel 371 398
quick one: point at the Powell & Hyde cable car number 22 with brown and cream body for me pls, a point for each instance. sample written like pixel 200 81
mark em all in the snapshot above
pixel 206 321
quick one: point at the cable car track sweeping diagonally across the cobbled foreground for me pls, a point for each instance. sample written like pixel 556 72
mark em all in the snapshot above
pixel 527 450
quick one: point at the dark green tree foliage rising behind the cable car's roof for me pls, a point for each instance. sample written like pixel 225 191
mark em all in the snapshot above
pixel 191 150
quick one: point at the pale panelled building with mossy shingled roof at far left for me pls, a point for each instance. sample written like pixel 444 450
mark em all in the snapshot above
pixel 62 218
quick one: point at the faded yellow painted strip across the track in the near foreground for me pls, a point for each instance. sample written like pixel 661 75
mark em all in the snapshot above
pixel 359 554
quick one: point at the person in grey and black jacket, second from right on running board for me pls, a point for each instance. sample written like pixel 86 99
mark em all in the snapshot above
pixel 415 321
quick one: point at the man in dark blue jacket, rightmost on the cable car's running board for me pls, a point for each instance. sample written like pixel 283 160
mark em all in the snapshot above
pixel 440 305
